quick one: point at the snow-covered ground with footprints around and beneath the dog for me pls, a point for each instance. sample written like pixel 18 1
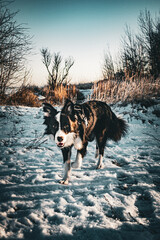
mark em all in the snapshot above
pixel 120 201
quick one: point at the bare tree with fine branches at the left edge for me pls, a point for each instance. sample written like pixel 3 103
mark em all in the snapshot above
pixel 15 44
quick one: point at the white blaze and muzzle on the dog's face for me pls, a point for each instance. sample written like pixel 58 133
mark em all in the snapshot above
pixel 68 138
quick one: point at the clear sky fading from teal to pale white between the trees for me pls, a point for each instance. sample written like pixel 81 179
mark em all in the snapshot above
pixel 81 29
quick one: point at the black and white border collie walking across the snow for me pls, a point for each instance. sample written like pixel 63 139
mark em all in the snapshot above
pixel 77 124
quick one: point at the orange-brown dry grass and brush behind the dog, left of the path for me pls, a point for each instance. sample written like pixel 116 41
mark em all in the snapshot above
pixel 28 95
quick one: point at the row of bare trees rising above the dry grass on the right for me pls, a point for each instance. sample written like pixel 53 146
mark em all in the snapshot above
pixel 140 53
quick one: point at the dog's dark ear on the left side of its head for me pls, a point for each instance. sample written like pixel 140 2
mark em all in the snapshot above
pixel 49 113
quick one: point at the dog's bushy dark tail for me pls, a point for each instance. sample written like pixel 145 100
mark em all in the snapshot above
pixel 118 128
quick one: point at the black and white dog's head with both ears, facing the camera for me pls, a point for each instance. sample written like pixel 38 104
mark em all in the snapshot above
pixel 62 125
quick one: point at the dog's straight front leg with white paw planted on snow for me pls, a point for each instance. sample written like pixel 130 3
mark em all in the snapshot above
pixel 67 165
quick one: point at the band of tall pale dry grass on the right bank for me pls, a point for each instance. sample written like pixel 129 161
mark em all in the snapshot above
pixel 126 91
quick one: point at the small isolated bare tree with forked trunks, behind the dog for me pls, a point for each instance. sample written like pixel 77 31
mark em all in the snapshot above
pixel 57 73
